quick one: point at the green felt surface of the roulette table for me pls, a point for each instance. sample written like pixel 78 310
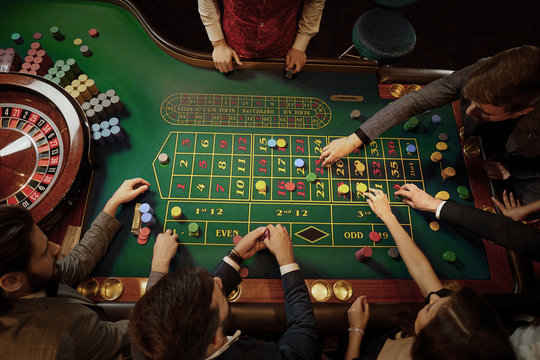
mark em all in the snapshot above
pixel 243 110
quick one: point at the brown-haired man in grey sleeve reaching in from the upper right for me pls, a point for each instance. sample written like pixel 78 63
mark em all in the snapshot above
pixel 499 100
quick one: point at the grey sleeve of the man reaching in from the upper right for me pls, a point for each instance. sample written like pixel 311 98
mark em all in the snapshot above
pixel 435 94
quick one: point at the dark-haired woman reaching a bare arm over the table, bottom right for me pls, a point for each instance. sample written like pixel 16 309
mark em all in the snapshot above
pixel 452 325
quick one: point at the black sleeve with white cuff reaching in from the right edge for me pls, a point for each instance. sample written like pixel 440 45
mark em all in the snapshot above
pixel 497 228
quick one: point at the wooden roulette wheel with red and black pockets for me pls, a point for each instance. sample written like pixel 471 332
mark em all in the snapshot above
pixel 44 147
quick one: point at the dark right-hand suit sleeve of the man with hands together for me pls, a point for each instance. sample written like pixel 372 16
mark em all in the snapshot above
pixel 300 339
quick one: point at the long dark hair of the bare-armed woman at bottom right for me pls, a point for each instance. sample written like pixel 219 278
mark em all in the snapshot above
pixel 466 327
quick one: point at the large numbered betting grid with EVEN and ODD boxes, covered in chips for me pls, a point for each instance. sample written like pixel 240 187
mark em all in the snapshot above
pixel 213 177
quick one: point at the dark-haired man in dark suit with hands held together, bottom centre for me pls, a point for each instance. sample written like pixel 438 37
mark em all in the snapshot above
pixel 183 314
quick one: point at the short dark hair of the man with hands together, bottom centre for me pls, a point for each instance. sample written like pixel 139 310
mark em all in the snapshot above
pixel 175 318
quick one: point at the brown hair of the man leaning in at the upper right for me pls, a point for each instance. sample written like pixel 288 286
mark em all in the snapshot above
pixel 509 79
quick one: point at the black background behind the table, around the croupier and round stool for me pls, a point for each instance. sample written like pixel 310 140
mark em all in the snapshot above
pixel 451 34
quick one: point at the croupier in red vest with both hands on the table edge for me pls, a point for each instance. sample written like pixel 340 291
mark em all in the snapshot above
pixel 260 29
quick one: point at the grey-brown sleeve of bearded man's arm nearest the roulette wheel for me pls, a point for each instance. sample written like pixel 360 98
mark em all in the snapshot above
pixel 84 256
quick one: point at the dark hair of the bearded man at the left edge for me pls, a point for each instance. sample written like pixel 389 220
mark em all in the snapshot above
pixel 16 226
